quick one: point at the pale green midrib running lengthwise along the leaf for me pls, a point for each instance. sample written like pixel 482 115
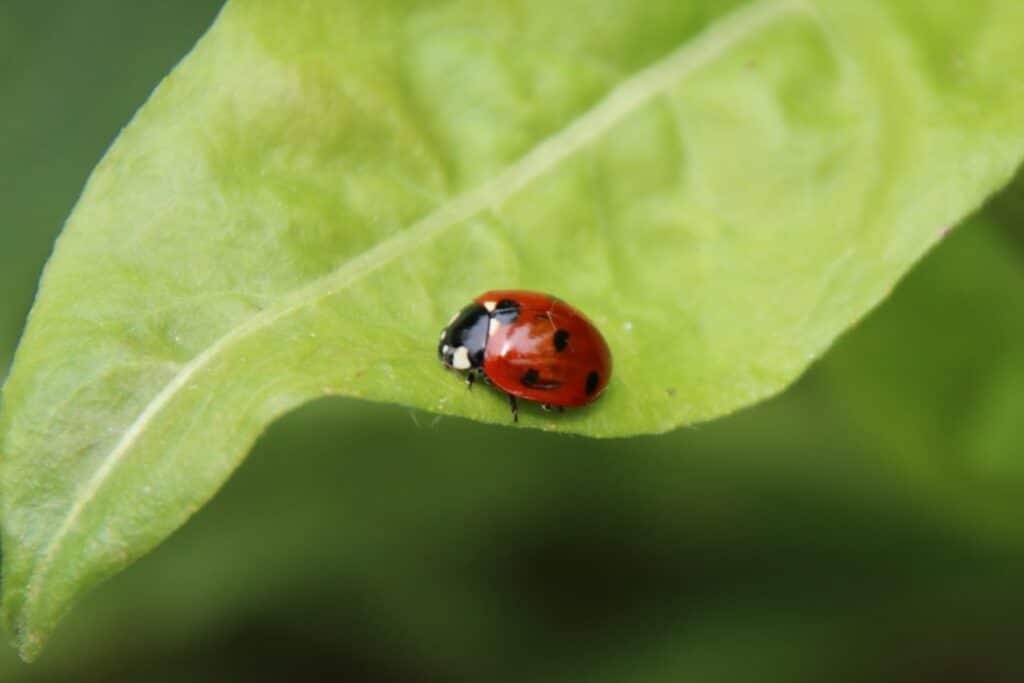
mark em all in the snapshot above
pixel 625 100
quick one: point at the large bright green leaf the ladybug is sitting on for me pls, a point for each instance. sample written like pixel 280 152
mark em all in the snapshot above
pixel 723 187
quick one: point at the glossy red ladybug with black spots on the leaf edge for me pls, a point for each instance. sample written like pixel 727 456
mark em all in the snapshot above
pixel 530 346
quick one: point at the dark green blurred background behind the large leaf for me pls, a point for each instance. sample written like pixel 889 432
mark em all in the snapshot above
pixel 866 526
